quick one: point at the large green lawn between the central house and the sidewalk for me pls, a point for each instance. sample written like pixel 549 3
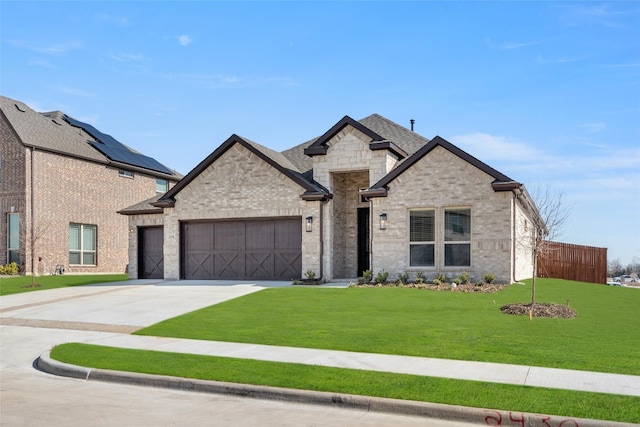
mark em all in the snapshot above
pixel 603 337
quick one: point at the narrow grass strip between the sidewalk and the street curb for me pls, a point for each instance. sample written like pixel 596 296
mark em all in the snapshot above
pixel 563 403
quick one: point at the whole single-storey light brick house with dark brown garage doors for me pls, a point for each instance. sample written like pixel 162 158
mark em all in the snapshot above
pixel 366 195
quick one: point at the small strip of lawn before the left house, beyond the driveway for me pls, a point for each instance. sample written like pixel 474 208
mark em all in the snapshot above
pixel 19 284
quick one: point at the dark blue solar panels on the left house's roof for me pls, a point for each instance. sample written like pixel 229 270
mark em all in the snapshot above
pixel 117 151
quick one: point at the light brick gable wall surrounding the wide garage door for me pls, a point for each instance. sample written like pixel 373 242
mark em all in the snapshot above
pixel 239 184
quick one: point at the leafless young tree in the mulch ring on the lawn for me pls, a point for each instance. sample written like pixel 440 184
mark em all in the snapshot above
pixel 548 215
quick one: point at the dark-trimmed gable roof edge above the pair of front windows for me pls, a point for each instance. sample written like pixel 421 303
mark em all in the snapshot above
pixel 501 182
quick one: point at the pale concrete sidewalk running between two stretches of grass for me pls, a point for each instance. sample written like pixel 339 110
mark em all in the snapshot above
pixel 444 368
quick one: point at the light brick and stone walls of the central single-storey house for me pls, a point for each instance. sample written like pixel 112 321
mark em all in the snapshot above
pixel 239 184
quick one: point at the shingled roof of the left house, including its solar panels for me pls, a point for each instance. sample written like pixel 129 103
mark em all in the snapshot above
pixel 58 133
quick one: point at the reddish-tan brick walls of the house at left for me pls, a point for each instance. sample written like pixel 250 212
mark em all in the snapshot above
pixel 51 191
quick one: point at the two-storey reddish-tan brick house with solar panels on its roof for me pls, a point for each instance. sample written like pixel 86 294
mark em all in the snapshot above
pixel 61 184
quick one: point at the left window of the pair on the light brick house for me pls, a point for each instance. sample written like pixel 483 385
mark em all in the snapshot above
pixel 422 238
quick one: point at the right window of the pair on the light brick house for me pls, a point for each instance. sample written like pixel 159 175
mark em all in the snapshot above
pixel 457 237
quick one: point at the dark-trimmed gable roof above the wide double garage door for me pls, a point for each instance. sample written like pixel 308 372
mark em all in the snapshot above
pixel 313 190
